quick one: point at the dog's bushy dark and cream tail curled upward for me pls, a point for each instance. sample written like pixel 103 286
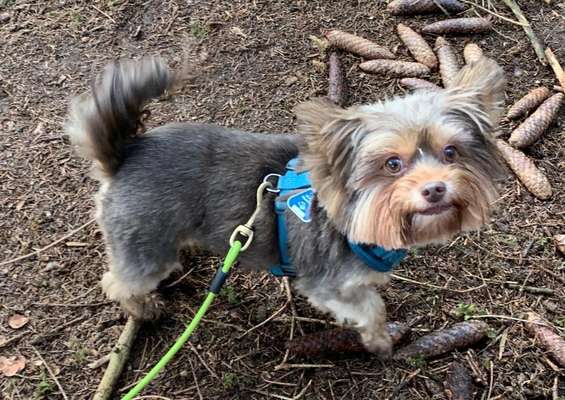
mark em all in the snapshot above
pixel 101 123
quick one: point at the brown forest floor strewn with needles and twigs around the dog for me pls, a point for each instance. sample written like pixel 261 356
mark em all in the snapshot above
pixel 261 64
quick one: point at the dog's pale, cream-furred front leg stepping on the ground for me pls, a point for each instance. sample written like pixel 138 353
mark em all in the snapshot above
pixel 361 307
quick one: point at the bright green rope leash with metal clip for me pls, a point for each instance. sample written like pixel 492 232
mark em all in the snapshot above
pixel 236 247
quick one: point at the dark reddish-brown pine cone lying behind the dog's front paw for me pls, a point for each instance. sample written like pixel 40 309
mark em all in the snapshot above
pixel 339 340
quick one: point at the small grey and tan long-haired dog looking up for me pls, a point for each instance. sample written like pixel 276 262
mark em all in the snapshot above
pixel 406 172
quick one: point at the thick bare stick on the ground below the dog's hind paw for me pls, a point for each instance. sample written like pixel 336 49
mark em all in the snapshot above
pixel 118 358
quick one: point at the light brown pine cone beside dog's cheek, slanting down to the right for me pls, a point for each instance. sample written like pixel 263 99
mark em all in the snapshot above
pixel 524 168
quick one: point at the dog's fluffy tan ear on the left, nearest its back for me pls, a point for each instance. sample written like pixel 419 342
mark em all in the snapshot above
pixel 328 132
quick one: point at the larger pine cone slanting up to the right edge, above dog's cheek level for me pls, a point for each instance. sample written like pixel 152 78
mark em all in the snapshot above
pixel 537 123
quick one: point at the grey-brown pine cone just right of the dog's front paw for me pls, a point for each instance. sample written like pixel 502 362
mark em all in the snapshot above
pixel 458 336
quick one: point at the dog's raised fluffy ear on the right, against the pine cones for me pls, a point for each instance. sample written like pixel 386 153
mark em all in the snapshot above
pixel 478 94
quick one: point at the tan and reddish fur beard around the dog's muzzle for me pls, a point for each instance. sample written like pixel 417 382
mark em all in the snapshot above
pixel 391 217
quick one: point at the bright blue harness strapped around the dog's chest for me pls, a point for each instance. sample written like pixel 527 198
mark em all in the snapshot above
pixel 374 256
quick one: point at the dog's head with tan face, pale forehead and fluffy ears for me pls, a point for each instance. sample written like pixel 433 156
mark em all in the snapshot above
pixel 412 170
